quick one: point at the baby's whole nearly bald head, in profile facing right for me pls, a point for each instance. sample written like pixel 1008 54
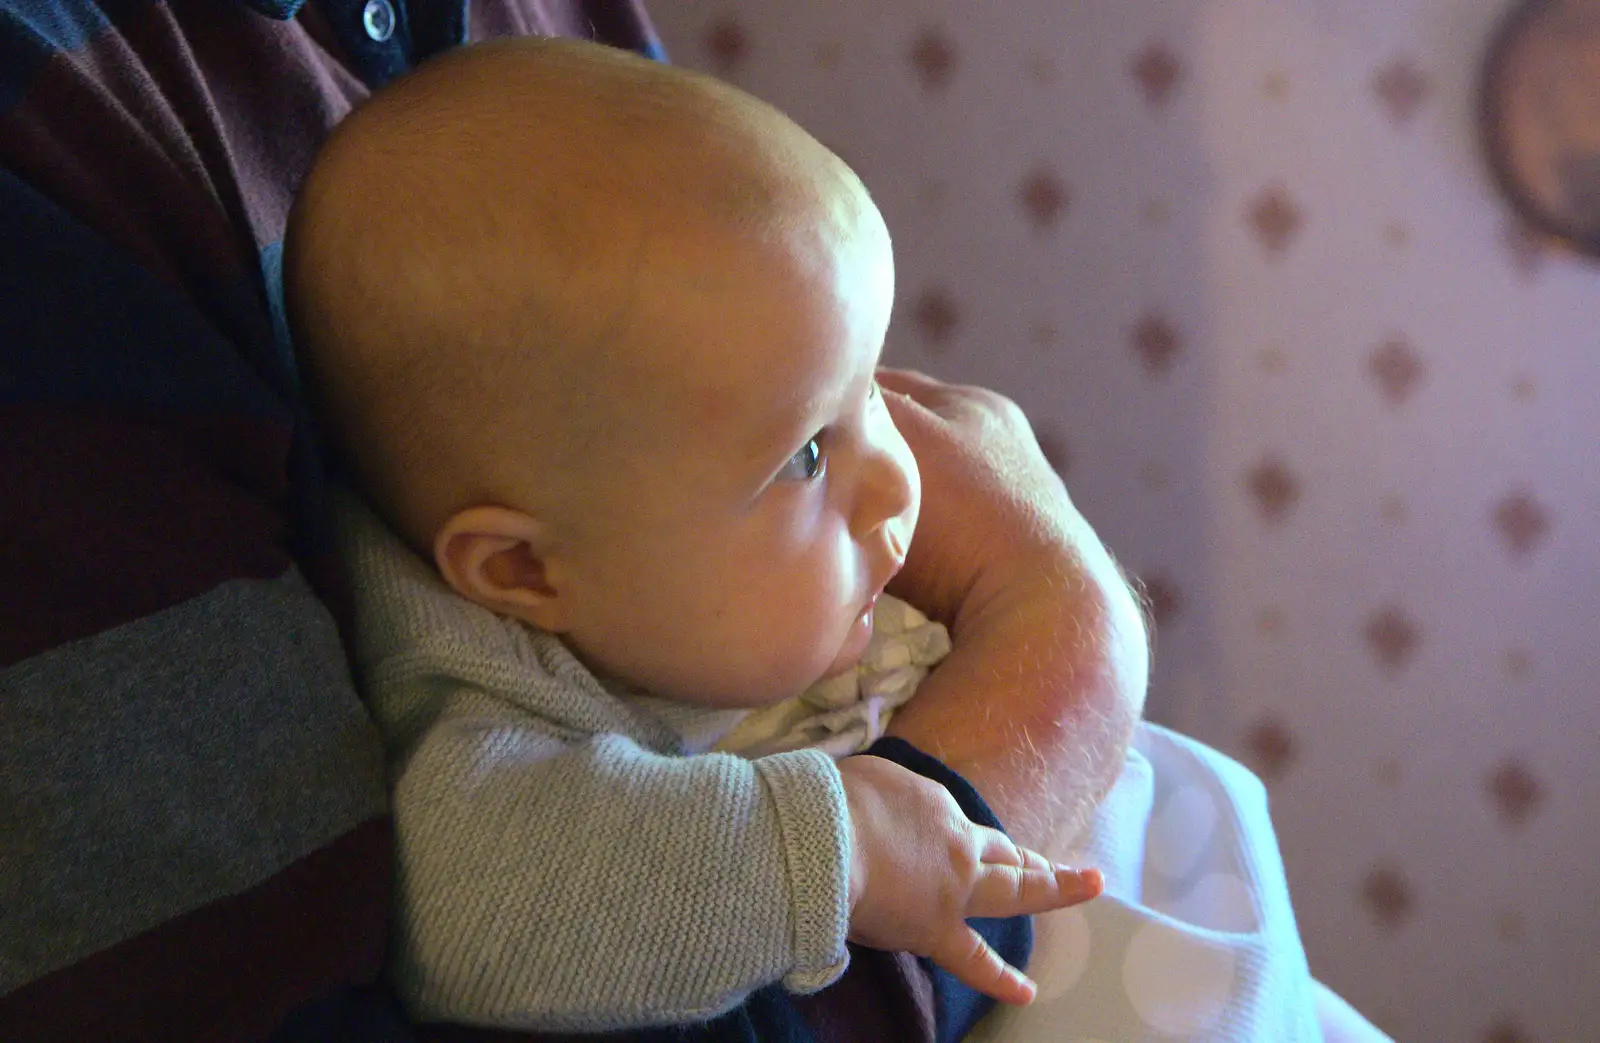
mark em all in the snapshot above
pixel 598 337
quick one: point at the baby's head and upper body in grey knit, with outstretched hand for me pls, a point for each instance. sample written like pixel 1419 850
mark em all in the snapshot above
pixel 599 342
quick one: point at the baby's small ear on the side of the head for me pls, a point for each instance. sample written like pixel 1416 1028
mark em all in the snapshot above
pixel 498 557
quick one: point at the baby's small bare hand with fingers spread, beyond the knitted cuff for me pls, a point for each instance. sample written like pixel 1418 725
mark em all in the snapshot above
pixel 919 868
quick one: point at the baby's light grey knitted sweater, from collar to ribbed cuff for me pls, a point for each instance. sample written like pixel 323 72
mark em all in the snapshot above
pixel 564 865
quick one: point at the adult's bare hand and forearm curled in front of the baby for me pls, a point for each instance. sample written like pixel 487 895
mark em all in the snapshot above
pixel 1038 700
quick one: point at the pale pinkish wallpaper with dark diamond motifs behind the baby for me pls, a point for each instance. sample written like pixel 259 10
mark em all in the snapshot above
pixel 1241 263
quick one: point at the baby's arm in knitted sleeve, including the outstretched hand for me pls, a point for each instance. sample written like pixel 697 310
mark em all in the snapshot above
pixel 598 885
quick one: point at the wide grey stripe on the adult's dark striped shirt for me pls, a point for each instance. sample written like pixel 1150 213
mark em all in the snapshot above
pixel 172 762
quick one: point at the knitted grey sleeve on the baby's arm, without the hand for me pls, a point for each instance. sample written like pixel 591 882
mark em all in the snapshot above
pixel 596 885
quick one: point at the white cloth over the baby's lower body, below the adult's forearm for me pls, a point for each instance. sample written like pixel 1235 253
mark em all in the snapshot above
pixel 1194 938
